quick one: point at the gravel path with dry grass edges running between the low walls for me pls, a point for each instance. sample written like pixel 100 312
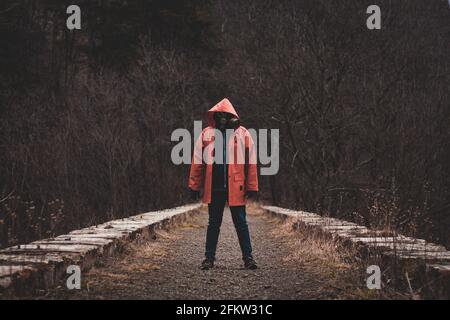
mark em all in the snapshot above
pixel 168 268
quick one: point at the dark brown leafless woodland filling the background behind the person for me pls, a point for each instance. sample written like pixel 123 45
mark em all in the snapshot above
pixel 86 116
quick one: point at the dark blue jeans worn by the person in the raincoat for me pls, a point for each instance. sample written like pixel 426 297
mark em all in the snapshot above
pixel 238 214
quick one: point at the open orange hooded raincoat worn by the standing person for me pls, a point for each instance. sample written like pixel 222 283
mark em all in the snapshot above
pixel 242 167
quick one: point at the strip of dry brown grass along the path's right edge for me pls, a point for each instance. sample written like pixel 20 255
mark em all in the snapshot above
pixel 341 265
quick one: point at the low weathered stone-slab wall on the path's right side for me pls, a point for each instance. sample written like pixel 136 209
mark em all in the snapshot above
pixel 423 261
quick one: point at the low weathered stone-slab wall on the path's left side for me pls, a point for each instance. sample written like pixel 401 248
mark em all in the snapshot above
pixel 43 263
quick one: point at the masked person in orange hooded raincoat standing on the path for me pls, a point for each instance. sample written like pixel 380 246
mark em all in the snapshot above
pixel 224 163
